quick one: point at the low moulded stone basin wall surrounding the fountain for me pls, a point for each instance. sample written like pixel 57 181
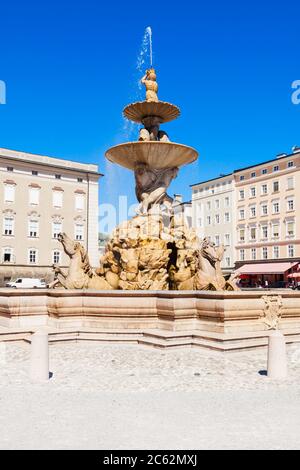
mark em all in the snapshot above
pixel 222 320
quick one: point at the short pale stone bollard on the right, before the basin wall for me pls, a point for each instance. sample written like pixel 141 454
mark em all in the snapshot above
pixel 277 366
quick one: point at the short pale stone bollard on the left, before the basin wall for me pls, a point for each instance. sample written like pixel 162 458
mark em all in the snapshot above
pixel 39 357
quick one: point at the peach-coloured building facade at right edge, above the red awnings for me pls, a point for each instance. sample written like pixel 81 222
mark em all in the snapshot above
pixel 267 202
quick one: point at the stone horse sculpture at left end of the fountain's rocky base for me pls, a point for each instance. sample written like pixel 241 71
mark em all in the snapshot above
pixel 80 274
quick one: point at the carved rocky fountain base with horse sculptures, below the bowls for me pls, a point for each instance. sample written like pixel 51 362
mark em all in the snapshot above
pixel 148 252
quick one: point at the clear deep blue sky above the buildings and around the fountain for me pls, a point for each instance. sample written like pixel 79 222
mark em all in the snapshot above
pixel 70 68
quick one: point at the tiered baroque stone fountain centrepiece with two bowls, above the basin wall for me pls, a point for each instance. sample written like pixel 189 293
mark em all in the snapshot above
pixel 154 250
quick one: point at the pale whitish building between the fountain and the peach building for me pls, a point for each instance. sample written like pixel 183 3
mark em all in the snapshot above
pixel 213 213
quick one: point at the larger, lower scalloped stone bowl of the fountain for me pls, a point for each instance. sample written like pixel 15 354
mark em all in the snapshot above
pixel 153 153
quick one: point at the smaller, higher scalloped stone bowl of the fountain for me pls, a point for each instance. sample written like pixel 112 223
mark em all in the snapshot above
pixel 138 111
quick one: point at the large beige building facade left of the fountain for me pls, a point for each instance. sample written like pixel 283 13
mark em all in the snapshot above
pixel 42 196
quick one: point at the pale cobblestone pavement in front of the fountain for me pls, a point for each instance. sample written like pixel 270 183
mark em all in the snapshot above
pixel 128 396
